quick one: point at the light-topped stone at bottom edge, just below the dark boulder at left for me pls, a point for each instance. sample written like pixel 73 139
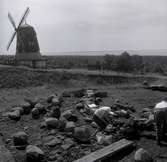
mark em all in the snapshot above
pixel 34 154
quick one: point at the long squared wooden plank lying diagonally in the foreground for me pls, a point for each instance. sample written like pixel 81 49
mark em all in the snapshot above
pixel 107 151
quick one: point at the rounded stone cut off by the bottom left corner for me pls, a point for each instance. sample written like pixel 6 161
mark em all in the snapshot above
pixel 5 155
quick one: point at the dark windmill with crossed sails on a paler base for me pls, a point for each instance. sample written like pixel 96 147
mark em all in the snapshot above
pixel 27 47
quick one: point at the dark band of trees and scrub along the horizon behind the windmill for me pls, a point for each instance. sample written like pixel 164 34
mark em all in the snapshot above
pixel 120 63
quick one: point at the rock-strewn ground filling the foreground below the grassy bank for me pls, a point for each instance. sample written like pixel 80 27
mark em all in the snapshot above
pixel 29 112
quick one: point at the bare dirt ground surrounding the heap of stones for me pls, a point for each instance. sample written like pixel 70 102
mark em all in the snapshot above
pixel 133 94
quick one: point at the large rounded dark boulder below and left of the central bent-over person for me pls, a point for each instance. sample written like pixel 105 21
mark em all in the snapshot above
pixel 82 134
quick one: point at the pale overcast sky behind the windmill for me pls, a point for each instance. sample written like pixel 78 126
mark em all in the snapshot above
pixel 81 25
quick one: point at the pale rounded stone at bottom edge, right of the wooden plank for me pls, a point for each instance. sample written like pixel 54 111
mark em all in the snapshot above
pixel 141 155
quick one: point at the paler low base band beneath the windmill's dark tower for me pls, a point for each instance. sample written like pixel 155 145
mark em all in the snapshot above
pixel 29 56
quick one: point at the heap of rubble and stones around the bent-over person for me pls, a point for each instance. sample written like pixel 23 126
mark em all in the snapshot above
pixel 75 128
